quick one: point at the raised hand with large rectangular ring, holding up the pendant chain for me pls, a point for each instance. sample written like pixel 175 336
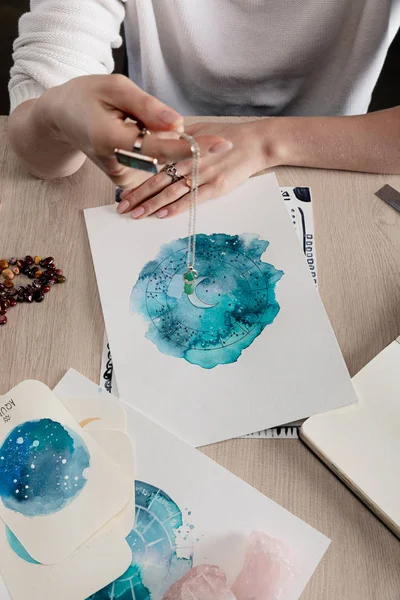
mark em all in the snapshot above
pixel 87 117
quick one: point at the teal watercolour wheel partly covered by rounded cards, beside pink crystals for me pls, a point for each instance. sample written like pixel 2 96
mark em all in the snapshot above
pixel 155 563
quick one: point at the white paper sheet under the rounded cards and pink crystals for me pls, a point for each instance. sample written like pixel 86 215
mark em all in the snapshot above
pixel 191 511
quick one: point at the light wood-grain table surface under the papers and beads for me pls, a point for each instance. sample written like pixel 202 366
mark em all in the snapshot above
pixel 358 253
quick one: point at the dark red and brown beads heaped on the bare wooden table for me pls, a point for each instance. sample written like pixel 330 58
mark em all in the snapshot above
pixel 43 272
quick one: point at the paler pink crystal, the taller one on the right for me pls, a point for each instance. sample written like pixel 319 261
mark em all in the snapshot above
pixel 267 571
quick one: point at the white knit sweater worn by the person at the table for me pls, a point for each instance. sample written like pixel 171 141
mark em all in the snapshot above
pixel 203 57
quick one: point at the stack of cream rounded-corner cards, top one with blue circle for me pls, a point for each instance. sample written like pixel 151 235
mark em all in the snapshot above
pixel 67 494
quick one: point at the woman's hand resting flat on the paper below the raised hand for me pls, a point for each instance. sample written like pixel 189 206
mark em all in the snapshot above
pixel 219 173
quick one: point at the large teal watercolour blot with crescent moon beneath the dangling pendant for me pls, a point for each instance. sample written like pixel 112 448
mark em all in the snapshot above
pixel 234 299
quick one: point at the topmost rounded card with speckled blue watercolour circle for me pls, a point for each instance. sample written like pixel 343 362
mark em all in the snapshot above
pixel 57 486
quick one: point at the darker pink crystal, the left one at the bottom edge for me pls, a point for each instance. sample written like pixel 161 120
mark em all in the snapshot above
pixel 204 582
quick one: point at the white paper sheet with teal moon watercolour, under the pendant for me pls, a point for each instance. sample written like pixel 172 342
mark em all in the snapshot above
pixel 205 405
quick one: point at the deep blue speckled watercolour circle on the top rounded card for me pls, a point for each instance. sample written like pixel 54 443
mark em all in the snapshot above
pixel 44 466
